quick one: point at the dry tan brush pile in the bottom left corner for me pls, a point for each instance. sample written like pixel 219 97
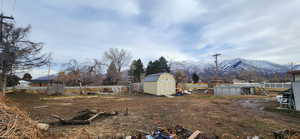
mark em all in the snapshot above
pixel 15 123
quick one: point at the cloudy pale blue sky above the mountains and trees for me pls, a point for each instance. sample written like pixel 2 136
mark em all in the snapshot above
pixel 180 30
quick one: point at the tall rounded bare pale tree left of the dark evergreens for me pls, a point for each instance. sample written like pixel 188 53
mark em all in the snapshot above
pixel 120 58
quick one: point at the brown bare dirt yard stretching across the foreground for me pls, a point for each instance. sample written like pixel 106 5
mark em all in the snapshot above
pixel 239 116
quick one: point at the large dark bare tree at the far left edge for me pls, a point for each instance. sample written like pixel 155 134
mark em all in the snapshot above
pixel 18 52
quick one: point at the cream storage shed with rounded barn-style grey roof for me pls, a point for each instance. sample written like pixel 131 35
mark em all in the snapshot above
pixel 160 84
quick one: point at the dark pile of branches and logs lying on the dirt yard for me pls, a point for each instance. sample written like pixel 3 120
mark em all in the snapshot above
pixel 84 117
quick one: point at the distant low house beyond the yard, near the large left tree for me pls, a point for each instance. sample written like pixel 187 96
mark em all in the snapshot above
pixel 42 81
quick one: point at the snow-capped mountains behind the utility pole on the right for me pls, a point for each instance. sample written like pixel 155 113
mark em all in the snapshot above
pixel 233 65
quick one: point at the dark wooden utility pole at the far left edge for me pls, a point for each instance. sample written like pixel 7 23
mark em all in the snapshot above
pixel 3 51
